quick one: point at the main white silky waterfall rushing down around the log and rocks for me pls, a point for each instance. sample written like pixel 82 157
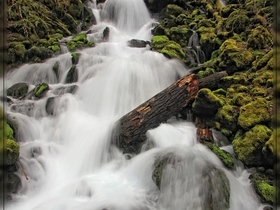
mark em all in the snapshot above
pixel 68 157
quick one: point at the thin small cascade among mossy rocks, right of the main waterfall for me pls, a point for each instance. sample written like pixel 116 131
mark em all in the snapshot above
pixel 193 50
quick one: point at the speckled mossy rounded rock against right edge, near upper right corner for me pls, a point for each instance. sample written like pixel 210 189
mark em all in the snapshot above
pixel 260 38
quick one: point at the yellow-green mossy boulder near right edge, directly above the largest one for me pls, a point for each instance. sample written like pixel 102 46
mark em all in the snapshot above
pixel 253 113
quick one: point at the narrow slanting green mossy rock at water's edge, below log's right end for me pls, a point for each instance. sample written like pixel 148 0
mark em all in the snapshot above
pixel 223 155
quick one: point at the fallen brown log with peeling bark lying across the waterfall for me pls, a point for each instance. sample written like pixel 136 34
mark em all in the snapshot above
pixel 130 131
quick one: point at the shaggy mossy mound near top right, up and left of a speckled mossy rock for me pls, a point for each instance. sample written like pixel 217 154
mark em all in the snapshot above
pixel 237 21
